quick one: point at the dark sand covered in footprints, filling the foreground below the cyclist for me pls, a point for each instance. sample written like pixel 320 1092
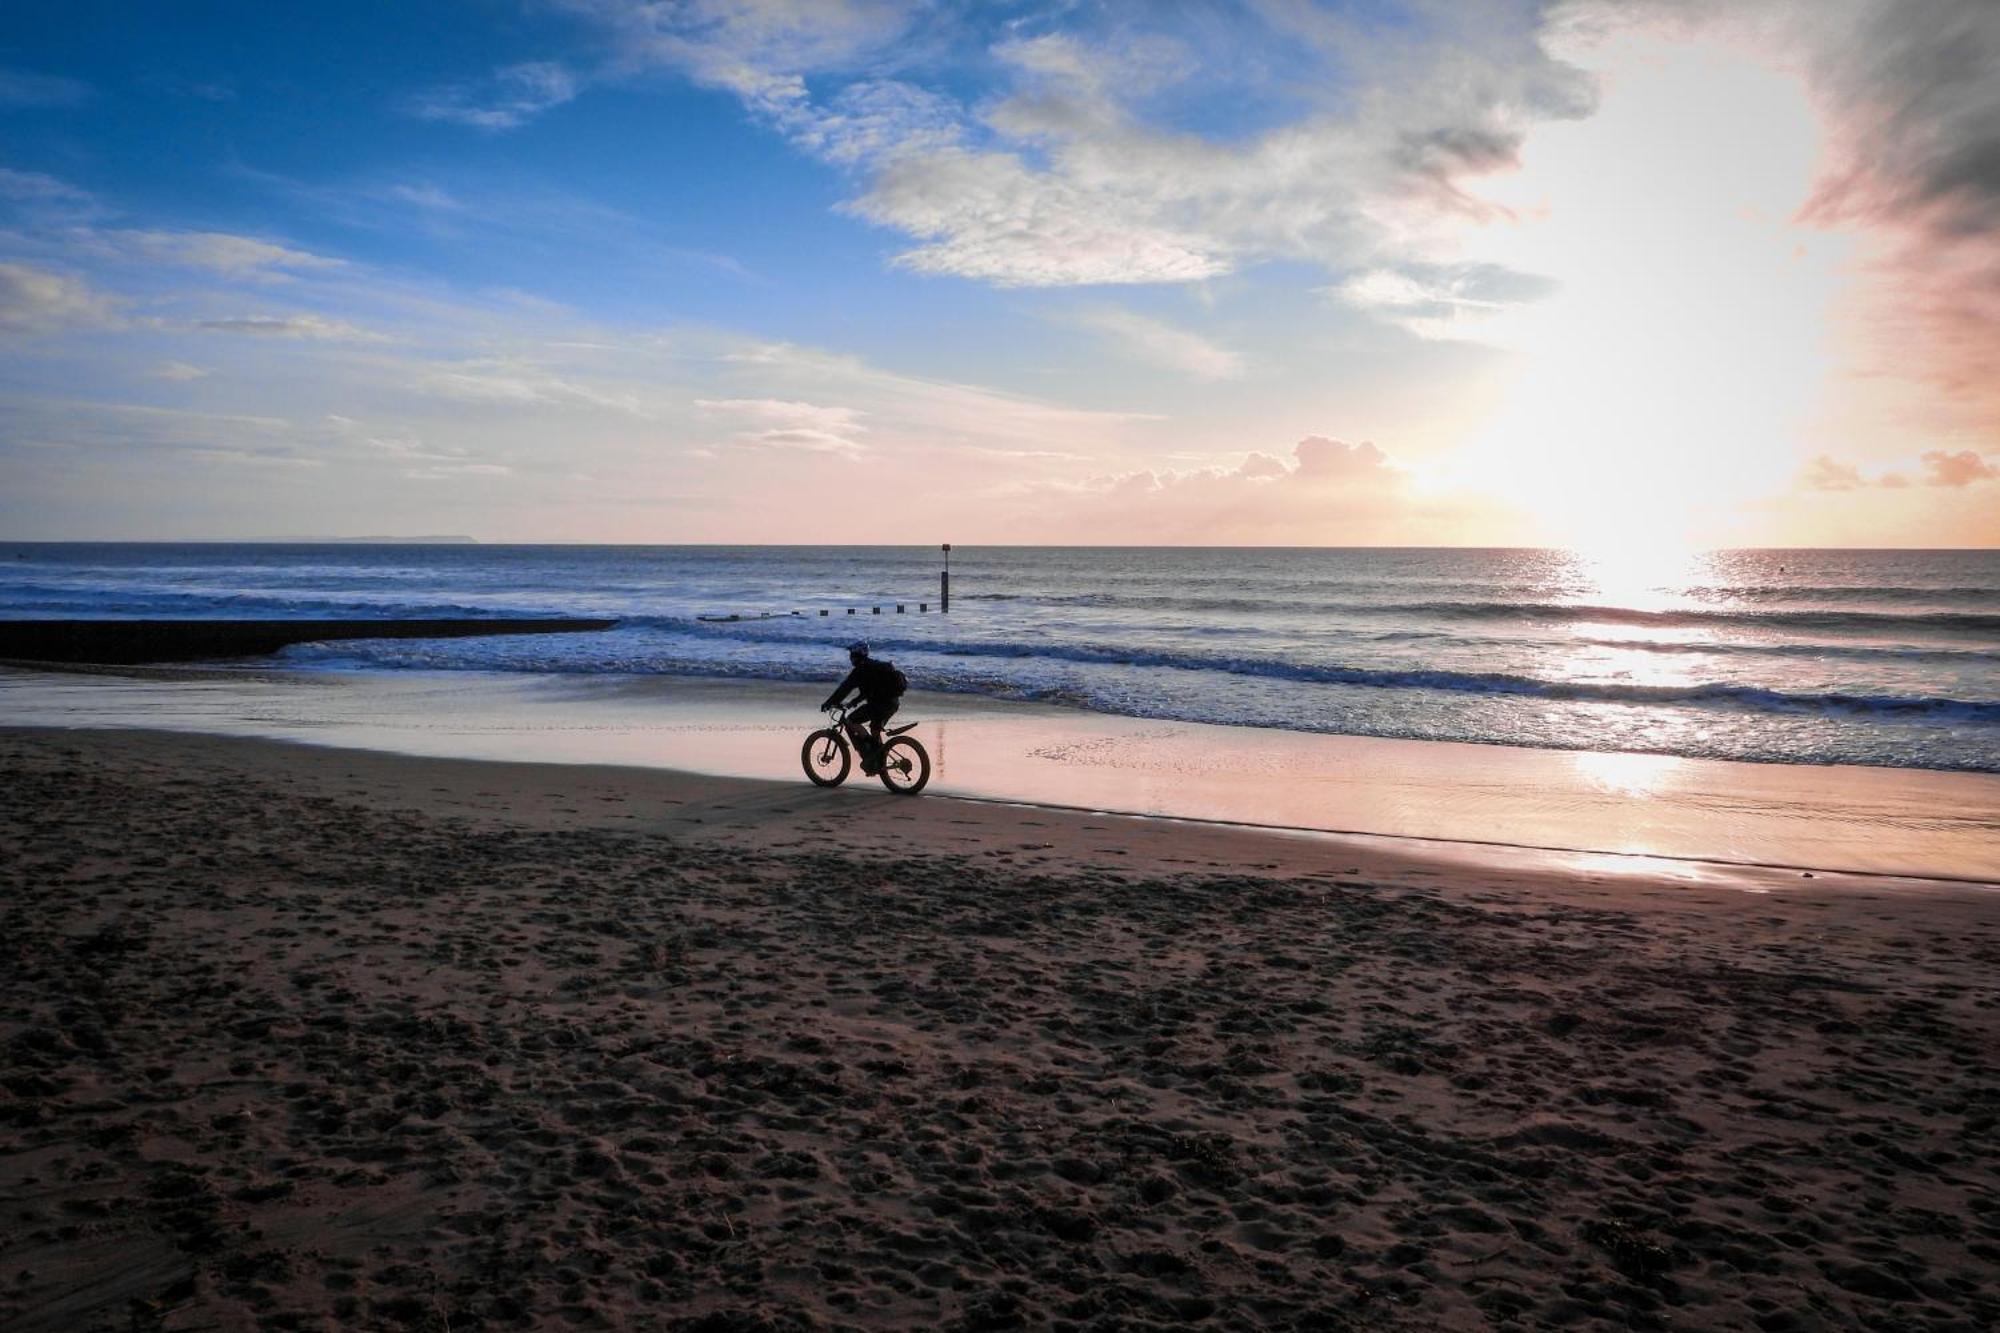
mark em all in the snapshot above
pixel 319 1040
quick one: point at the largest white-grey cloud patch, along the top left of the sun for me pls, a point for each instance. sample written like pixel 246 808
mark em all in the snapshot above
pixel 1065 183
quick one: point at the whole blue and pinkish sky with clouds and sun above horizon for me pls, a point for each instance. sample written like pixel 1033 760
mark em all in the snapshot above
pixel 1269 271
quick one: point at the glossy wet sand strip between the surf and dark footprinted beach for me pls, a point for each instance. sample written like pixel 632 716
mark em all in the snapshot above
pixel 1801 818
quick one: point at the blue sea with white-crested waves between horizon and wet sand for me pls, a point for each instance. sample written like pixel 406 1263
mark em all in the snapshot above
pixel 1807 657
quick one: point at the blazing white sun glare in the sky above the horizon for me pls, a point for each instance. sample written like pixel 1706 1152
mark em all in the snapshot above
pixel 1669 379
